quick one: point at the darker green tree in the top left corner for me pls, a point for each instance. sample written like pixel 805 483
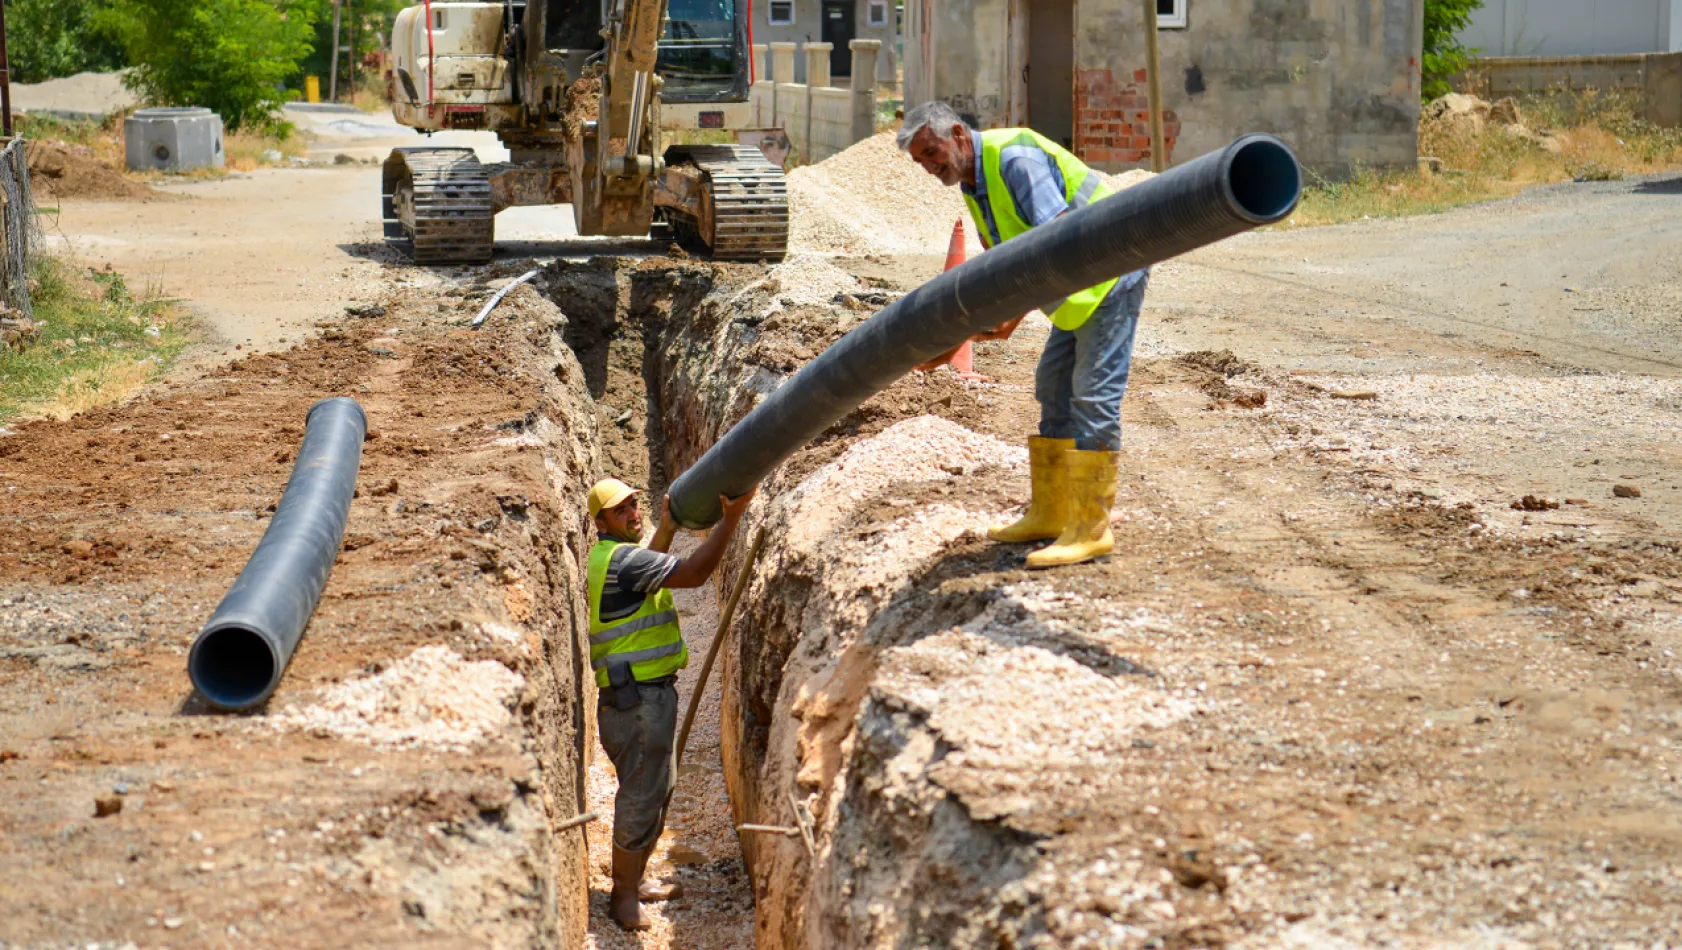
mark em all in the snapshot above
pixel 58 38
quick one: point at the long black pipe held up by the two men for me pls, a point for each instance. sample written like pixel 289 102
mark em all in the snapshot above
pixel 1249 184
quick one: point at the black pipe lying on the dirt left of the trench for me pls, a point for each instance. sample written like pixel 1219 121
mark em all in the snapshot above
pixel 240 657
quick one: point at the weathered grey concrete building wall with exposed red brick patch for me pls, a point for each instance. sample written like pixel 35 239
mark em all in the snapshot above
pixel 1338 80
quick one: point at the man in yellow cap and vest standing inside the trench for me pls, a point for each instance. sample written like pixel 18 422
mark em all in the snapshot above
pixel 637 652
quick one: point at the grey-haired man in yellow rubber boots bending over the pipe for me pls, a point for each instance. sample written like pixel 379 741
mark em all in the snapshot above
pixel 1015 181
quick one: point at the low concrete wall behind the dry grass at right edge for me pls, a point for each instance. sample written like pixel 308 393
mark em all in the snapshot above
pixel 1656 78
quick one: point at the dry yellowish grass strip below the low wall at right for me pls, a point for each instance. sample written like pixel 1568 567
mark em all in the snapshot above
pixel 1563 137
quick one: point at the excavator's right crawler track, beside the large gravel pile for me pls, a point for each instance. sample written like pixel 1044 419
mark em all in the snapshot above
pixel 749 201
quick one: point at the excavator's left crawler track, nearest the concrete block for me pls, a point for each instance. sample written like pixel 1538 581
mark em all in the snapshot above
pixel 438 201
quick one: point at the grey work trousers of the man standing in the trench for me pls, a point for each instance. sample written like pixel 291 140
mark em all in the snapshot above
pixel 642 744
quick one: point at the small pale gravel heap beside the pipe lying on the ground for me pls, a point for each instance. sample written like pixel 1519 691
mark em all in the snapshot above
pixel 430 699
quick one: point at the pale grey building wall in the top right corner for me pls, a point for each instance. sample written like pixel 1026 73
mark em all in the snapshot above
pixel 1575 28
